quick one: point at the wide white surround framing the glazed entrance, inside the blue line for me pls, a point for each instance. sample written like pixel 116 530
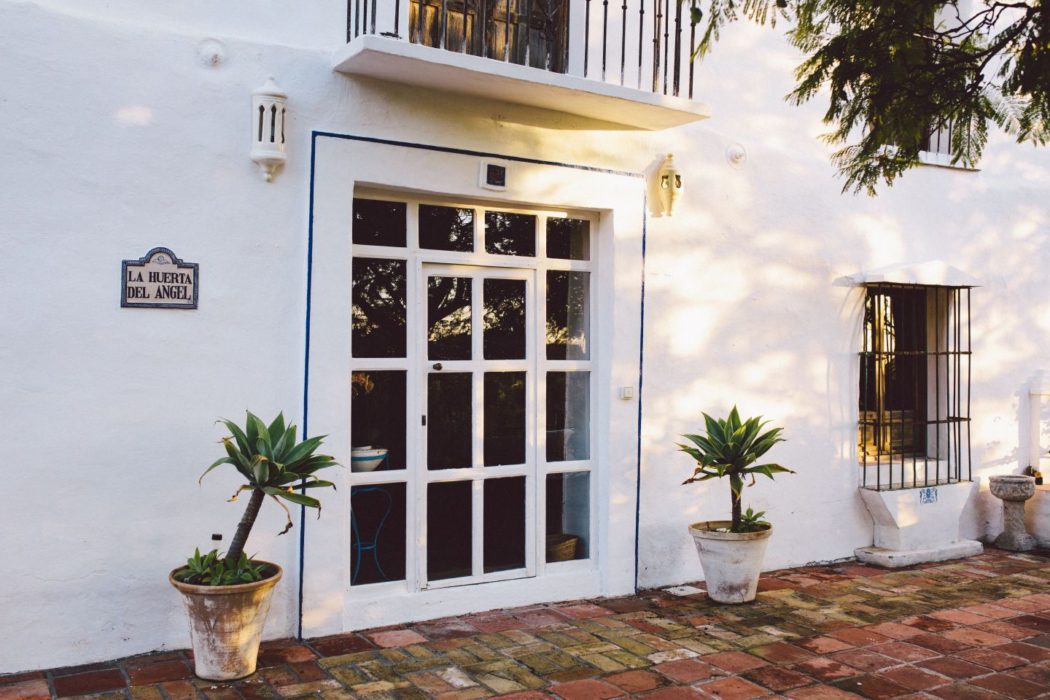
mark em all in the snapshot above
pixel 345 164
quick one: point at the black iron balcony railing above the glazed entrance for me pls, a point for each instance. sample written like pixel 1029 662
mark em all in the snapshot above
pixel 642 45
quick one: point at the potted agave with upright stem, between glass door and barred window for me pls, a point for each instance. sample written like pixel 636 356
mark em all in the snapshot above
pixel 731 551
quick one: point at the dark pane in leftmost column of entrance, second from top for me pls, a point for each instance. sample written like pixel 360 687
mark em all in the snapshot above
pixel 379 312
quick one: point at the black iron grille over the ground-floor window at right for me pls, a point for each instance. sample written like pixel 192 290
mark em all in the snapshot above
pixel 914 428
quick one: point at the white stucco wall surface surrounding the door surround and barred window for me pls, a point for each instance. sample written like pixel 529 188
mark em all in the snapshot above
pixel 118 138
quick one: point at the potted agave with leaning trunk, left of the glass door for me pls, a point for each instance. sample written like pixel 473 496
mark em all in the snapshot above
pixel 228 598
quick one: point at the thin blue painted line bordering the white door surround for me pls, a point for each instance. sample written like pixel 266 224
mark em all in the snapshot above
pixel 460 152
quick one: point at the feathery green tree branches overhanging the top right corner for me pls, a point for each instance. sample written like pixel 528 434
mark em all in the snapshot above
pixel 896 71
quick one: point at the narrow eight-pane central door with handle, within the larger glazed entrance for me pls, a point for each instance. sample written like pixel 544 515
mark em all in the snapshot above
pixel 481 375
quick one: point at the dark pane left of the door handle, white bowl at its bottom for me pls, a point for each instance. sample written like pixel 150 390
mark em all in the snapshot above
pixel 377 417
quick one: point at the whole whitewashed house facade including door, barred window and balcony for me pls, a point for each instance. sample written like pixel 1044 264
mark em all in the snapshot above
pixel 467 263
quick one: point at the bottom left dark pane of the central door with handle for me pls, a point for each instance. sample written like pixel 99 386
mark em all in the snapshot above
pixel 449 531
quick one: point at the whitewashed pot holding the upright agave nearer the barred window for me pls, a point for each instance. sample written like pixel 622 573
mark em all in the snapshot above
pixel 731 561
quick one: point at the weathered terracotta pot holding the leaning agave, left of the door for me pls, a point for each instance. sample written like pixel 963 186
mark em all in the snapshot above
pixel 226 624
